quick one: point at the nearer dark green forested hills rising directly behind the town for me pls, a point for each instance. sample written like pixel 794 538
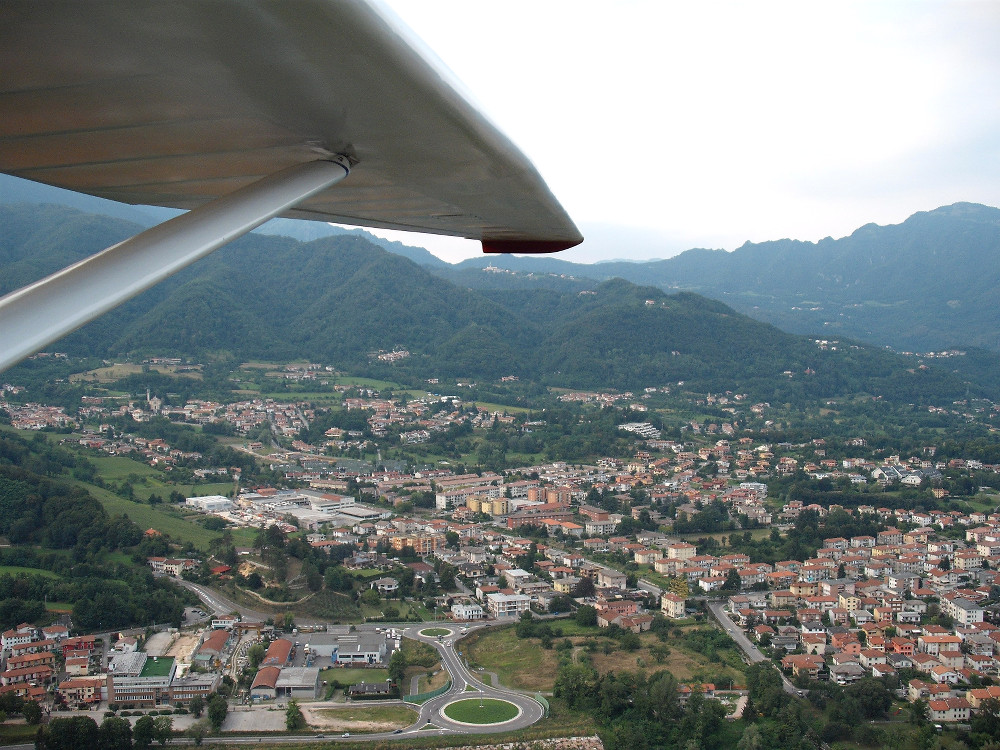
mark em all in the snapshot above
pixel 341 300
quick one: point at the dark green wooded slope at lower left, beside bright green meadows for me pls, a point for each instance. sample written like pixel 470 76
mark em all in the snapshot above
pixel 56 526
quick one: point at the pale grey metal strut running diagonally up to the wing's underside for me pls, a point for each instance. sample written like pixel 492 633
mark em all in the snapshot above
pixel 37 315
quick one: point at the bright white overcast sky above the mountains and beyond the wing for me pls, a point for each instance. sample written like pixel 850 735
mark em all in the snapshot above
pixel 663 125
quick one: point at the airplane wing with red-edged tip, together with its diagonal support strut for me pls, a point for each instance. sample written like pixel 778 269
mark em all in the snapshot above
pixel 191 102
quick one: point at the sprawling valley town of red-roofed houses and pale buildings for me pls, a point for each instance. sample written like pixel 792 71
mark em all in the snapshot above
pixel 685 527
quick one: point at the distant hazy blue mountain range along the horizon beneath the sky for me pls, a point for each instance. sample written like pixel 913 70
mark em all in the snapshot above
pixel 929 283
